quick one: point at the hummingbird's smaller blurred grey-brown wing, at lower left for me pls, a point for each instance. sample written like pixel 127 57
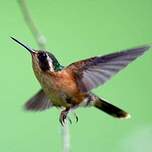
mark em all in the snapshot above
pixel 38 102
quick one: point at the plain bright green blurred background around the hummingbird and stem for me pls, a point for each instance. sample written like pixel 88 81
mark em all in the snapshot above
pixel 77 29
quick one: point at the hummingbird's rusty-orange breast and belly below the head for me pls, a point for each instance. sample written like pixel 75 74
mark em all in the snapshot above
pixel 60 87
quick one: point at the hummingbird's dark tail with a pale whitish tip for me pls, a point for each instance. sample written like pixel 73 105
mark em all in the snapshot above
pixel 111 109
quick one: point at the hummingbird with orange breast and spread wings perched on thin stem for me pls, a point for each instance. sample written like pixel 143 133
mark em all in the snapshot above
pixel 70 87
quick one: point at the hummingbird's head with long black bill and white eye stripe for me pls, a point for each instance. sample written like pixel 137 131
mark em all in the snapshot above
pixel 42 60
